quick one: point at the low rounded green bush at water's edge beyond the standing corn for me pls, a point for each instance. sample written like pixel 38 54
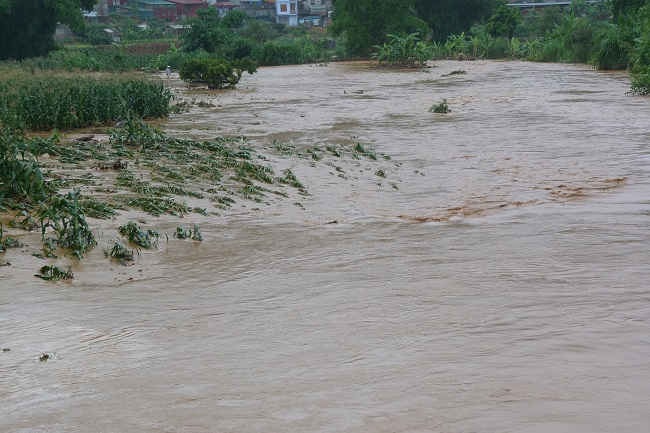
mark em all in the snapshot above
pixel 216 73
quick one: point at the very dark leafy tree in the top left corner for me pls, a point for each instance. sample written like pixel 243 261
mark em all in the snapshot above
pixel 27 26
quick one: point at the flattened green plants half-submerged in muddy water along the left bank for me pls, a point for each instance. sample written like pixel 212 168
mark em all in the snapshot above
pixel 48 184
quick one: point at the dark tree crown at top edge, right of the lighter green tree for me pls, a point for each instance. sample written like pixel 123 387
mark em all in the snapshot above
pixel 448 17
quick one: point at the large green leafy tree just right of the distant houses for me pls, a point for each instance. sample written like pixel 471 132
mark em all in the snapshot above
pixel 367 22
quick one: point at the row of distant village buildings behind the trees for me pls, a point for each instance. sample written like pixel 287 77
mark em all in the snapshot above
pixel 289 12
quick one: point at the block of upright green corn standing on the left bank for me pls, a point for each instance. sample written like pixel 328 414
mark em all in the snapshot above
pixel 46 101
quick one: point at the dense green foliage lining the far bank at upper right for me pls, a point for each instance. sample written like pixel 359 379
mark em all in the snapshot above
pixel 608 35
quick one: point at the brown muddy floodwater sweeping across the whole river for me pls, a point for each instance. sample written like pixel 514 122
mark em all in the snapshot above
pixel 496 278
